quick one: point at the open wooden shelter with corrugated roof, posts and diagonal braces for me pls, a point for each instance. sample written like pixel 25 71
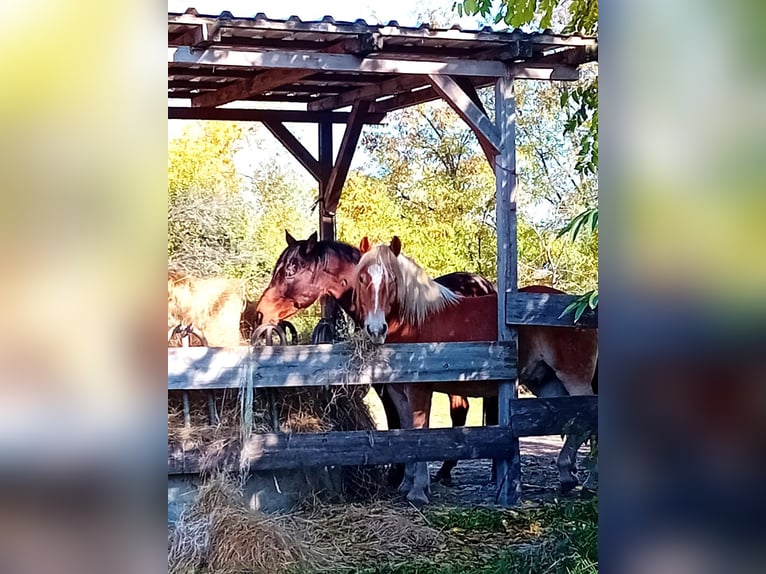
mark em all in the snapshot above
pixel 329 72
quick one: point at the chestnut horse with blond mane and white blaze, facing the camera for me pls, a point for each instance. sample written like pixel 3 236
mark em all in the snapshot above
pixel 400 303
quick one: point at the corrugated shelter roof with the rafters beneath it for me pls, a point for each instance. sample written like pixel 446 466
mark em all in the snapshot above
pixel 260 38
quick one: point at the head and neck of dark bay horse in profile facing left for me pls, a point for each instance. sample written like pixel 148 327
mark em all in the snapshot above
pixel 304 271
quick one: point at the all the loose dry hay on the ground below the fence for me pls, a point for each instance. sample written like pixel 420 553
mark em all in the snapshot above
pixel 221 534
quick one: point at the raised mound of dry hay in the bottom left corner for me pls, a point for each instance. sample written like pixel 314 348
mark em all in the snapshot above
pixel 220 533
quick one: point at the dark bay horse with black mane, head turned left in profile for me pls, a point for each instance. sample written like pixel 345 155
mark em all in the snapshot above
pixel 308 269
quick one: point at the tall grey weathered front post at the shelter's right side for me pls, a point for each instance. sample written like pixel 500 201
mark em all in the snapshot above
pixel 509 470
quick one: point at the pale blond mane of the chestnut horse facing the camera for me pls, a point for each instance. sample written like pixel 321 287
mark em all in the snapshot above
pixel 418 294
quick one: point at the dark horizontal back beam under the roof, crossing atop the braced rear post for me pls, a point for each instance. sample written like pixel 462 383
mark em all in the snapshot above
pixel 253 115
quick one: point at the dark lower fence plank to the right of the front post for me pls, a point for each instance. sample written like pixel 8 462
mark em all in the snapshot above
pixel 554 416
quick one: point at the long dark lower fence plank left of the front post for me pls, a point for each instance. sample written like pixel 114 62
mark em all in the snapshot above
pixel 302 450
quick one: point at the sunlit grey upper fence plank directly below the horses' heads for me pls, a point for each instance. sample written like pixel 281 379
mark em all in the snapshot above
pixel 319 365
